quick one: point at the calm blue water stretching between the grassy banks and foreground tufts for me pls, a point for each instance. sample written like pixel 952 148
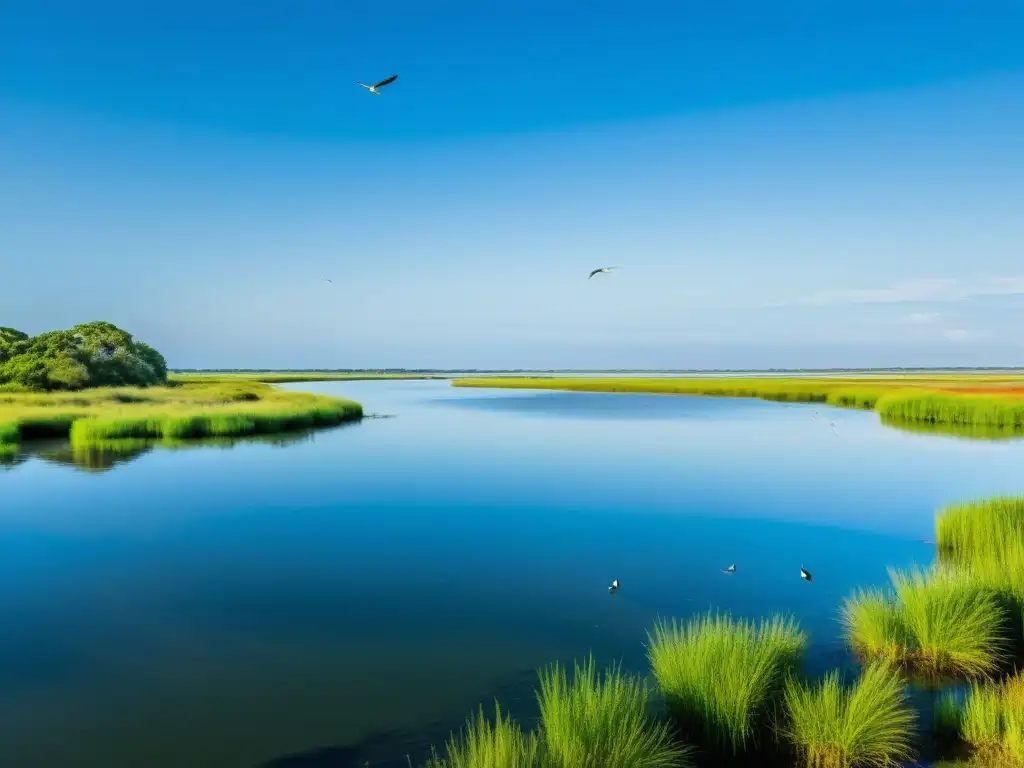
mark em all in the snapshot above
pixel 353 596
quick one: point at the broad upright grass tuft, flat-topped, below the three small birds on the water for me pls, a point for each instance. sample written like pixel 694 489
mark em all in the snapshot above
pixel 723 678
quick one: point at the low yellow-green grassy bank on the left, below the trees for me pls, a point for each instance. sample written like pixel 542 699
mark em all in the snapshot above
pixel 202 409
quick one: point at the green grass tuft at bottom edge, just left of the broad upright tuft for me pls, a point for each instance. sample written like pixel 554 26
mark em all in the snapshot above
pixel 595 721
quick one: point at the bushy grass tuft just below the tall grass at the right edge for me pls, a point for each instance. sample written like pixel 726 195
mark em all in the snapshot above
pixel 941 623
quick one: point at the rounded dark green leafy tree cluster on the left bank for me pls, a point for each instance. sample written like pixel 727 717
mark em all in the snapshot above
pixel 93 355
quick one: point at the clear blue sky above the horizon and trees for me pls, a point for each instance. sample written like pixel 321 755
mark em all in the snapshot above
pixel 787 184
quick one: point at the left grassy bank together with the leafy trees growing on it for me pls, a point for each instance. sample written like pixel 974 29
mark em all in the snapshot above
pixel 96 383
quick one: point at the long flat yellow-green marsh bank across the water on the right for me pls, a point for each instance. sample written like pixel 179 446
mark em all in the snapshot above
pixel 984 402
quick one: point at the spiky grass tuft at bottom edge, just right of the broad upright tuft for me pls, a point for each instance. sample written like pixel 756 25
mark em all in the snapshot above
pixel 869 726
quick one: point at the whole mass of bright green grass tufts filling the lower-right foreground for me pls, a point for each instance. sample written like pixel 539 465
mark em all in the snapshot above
pixel 734 692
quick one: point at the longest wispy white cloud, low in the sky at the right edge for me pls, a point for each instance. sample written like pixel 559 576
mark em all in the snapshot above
pixel 924 290
